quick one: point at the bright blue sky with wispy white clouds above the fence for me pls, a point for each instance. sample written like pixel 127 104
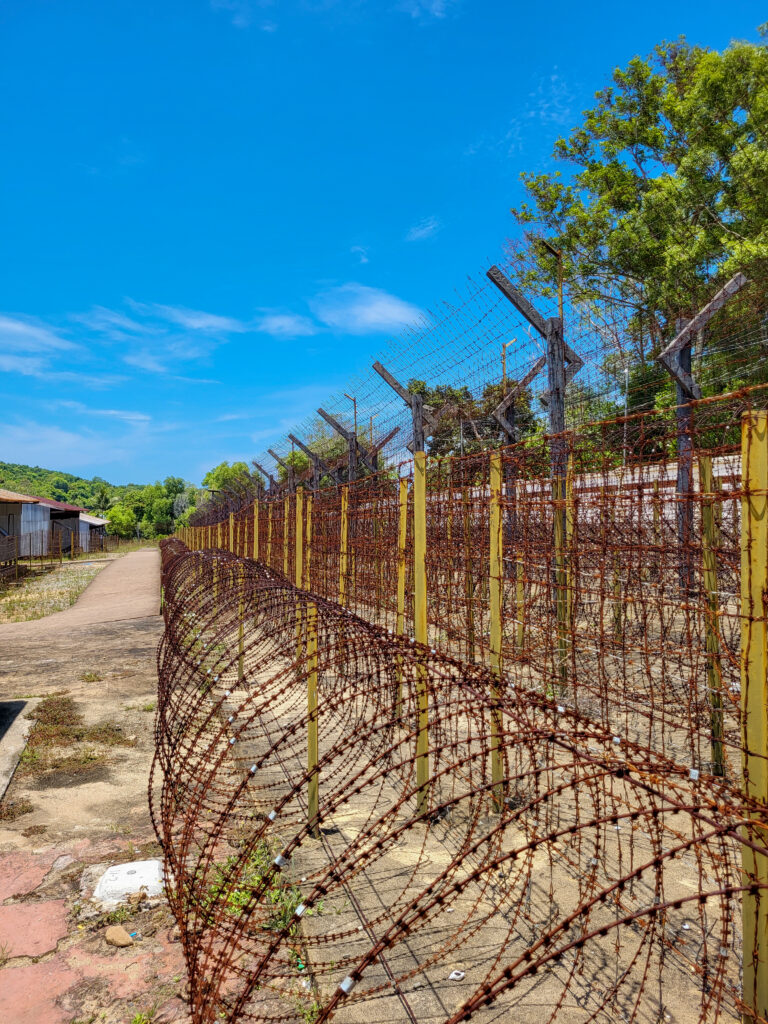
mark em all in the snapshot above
pixel 215 211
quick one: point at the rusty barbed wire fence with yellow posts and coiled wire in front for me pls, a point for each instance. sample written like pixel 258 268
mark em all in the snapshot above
pixel 480 613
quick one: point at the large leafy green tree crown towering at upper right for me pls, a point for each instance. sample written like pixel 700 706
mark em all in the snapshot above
pixel 663 194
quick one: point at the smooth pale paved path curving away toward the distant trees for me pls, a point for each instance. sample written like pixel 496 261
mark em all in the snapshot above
pixel 129 588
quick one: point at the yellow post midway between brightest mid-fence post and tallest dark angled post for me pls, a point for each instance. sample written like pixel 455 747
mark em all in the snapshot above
pixel 496 571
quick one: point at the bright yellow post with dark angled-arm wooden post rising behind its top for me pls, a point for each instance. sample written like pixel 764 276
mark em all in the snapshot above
pixel 420 624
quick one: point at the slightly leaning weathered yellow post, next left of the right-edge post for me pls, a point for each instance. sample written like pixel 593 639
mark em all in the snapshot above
pixel 712 627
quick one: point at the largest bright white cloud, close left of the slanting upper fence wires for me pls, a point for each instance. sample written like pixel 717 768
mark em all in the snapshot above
pixel 357 309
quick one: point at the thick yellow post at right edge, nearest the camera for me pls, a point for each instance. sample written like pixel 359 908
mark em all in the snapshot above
pixel 754 700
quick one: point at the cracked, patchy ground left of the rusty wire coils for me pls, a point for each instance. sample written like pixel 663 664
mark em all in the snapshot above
pixel 80 808
